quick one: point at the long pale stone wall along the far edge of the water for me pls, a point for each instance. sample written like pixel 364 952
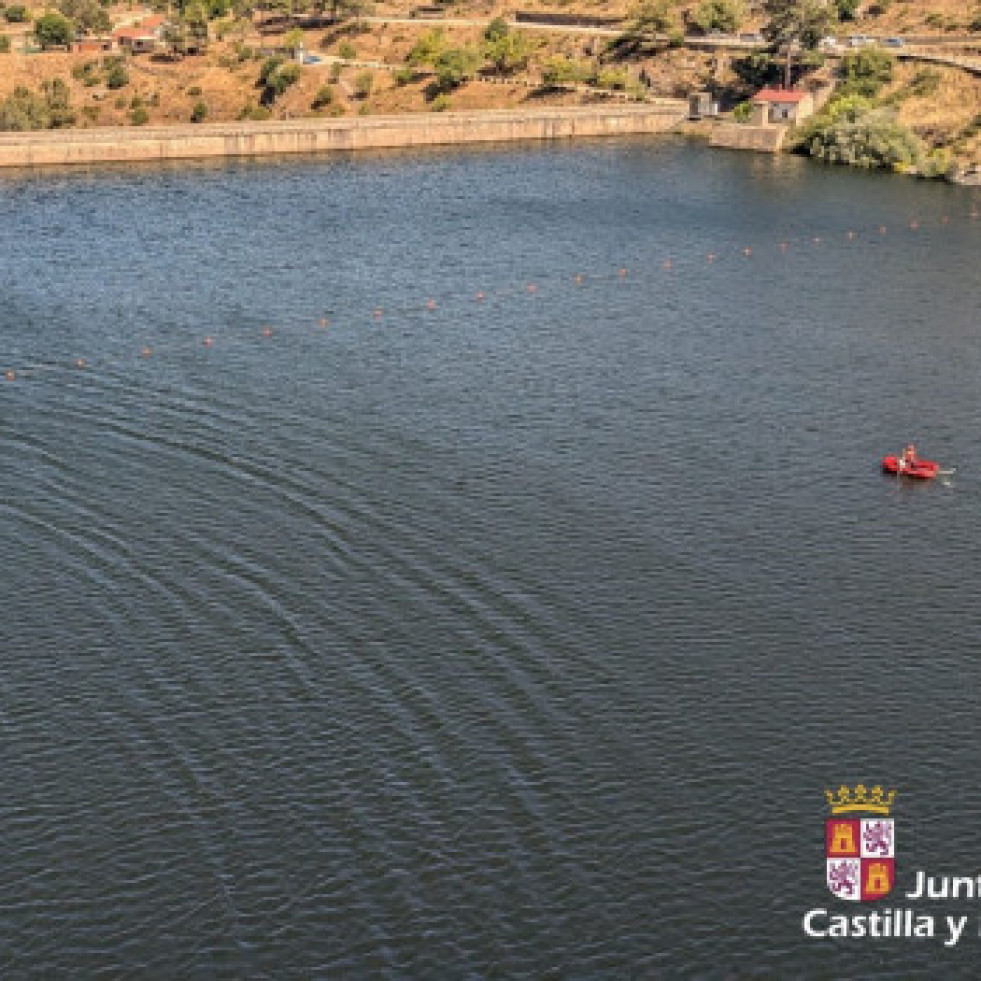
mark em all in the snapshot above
pixel 250 139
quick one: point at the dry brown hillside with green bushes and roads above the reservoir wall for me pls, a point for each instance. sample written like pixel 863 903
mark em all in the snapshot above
pixel 900 80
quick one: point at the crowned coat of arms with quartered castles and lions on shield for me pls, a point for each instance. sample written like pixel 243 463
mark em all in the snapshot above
pixel 860 843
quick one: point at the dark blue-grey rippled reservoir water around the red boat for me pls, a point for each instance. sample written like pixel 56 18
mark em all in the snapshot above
pixel 514 638
